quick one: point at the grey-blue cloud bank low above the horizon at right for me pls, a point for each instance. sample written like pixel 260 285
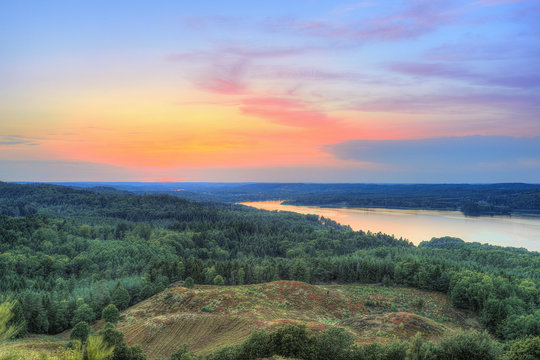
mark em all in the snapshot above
pixel 476 158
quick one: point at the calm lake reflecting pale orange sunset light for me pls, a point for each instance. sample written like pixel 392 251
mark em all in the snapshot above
pixel 420 225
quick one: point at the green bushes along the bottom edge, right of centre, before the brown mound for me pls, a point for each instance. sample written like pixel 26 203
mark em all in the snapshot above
pixel 295 341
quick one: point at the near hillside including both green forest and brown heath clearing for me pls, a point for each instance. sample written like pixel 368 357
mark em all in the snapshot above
pixel 66 254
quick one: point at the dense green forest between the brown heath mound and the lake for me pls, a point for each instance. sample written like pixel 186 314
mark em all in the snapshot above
pixel 66 254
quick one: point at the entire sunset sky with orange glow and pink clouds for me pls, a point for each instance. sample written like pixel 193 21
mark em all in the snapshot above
pixel 270 91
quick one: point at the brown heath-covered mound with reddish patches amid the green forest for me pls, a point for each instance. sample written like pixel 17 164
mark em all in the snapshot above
pixel 209 317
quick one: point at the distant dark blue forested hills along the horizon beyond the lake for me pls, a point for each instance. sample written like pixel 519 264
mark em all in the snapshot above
pixel 471 199
